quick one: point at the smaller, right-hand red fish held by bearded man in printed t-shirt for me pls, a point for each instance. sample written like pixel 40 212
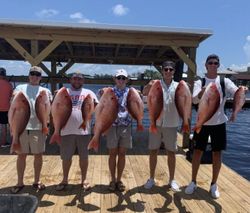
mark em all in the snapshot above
pixel 87 111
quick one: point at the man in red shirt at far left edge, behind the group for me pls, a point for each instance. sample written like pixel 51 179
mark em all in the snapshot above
pixel 5 96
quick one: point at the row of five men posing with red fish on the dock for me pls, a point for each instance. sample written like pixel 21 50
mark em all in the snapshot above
pixel 119 136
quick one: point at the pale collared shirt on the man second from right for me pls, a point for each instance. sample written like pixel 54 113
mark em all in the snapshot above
pixel 169 116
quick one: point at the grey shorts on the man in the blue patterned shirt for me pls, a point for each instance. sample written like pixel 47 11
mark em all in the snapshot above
pixel 119 136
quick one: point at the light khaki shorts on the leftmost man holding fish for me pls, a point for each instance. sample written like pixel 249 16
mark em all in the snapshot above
pixel 32 141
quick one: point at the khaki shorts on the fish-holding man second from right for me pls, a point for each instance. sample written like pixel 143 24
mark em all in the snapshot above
pixel 167 135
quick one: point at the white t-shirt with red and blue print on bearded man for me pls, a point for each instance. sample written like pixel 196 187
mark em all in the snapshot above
pixel 75 119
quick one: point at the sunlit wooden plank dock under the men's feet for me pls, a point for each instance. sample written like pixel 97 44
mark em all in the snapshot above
pixel 234 189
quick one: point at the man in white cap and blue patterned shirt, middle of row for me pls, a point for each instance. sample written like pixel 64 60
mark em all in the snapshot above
pixel 119 137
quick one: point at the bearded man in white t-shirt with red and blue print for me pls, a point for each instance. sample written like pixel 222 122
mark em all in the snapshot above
pixel 74 137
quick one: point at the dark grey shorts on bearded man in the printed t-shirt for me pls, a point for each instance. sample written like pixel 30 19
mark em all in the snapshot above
pixel 70 143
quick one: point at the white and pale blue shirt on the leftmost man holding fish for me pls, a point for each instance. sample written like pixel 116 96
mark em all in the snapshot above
pixel 31 92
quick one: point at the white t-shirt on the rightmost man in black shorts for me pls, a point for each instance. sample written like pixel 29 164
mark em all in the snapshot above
pixel 230 88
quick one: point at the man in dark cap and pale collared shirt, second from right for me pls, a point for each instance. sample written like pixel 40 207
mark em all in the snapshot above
pixel 167 126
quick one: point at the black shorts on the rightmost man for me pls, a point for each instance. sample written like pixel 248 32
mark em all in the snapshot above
pixel 217 134
